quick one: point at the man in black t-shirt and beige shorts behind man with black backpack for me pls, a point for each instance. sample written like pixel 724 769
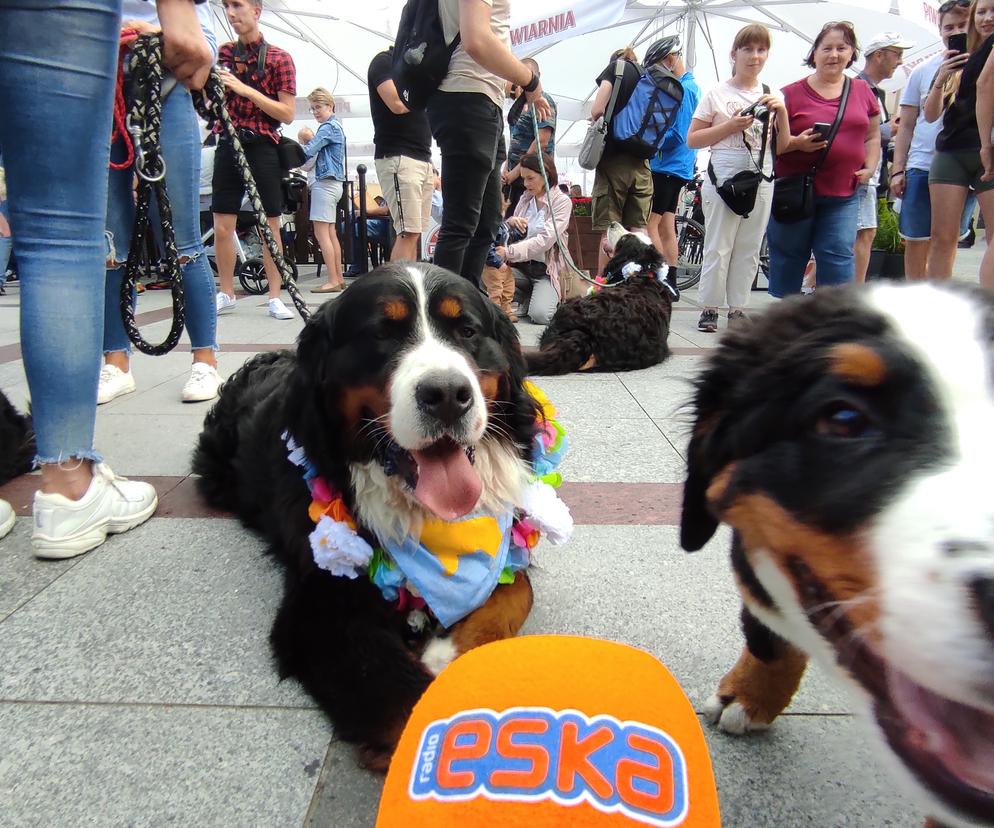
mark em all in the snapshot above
pixel 402 155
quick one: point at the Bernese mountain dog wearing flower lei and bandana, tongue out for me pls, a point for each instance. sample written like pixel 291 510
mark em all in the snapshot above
pixel 402 415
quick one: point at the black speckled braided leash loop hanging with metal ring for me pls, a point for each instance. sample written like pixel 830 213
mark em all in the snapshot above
pixel 144 124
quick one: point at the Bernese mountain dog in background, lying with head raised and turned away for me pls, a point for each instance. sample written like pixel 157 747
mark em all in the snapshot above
pixel 622 327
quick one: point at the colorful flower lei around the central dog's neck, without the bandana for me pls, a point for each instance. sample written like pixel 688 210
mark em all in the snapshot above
pixel 341 550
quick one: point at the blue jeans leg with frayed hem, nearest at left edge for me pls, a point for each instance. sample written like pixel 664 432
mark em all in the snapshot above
pixel 57 197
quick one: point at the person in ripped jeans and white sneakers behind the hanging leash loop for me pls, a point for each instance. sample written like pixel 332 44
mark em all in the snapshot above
pixel 179 137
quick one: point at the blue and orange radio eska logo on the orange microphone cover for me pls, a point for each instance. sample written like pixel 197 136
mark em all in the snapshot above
pixel 534 753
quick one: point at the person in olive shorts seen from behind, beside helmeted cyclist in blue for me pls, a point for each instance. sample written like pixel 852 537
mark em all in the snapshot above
pixel 622 183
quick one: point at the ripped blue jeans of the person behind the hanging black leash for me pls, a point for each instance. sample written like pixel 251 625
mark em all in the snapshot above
pixel 180 141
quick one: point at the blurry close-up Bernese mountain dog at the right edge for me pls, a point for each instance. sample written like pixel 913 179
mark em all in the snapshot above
pixel 848 440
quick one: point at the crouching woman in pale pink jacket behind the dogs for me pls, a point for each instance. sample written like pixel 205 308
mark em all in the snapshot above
pixel 536 260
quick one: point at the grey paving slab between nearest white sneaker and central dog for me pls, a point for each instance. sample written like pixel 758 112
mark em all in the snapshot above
pixel 174 612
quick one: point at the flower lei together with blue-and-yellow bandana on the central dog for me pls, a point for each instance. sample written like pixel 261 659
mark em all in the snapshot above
pixel 453 566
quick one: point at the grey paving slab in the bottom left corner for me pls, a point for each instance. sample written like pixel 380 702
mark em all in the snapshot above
pixel 67 765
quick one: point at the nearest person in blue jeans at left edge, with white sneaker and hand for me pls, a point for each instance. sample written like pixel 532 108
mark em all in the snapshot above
pixel 57 202
